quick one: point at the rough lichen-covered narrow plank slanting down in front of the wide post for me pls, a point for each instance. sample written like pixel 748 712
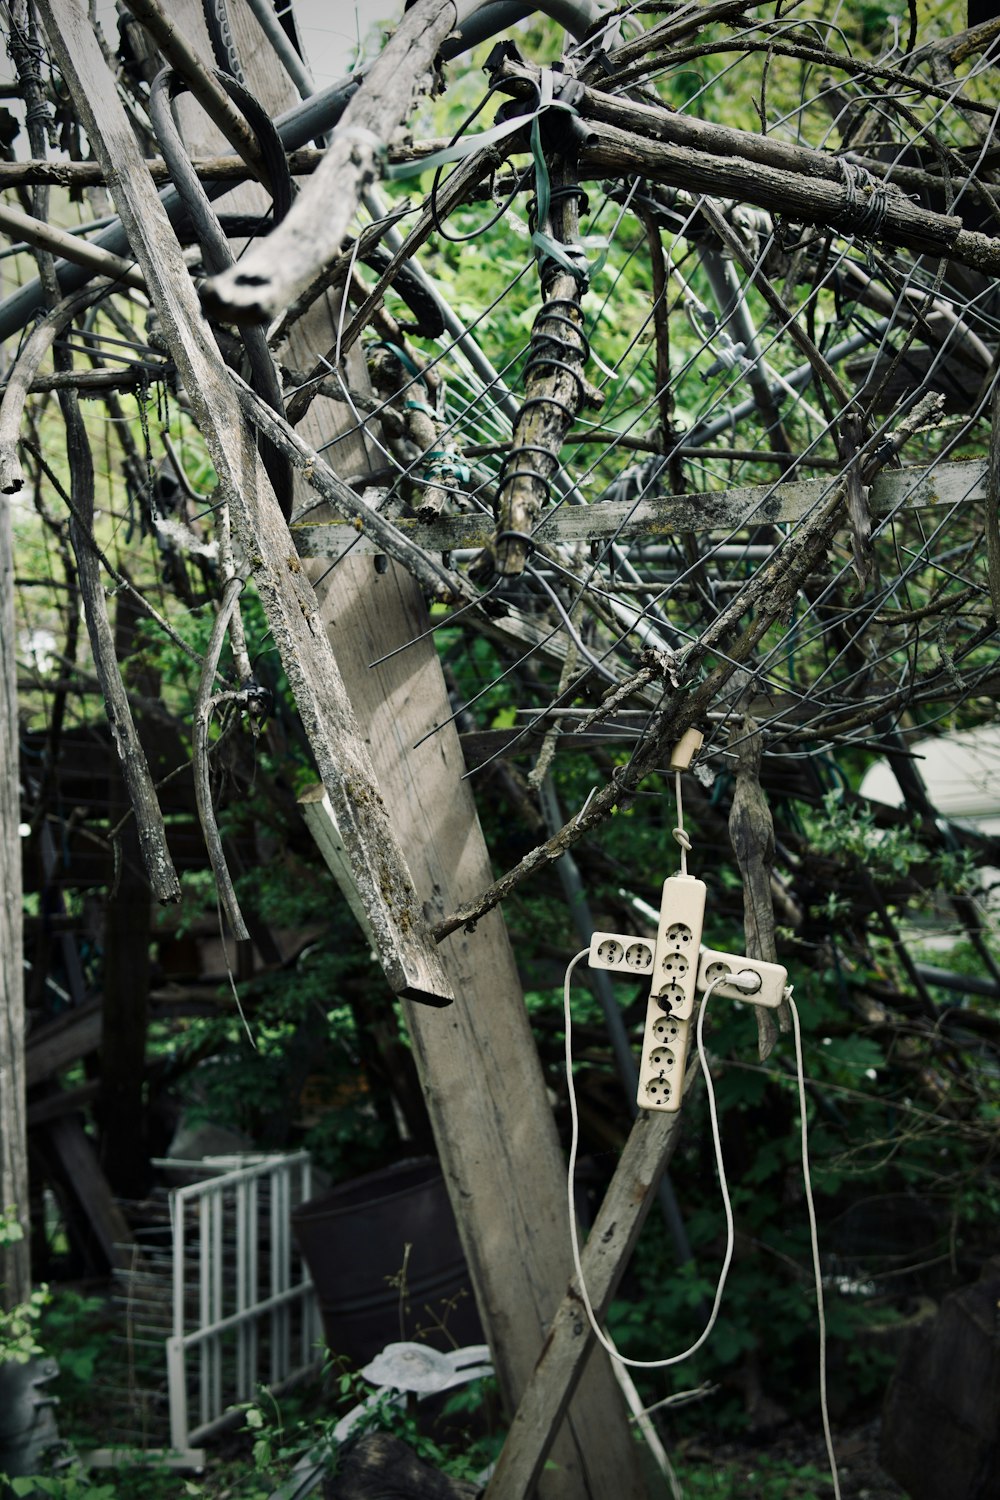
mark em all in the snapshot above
pixel 409 958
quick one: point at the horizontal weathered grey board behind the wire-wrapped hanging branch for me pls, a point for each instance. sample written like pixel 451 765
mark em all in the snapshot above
pixel 654 518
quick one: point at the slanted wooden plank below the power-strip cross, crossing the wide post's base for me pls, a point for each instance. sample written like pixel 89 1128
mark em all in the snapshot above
pixel 612 1240
